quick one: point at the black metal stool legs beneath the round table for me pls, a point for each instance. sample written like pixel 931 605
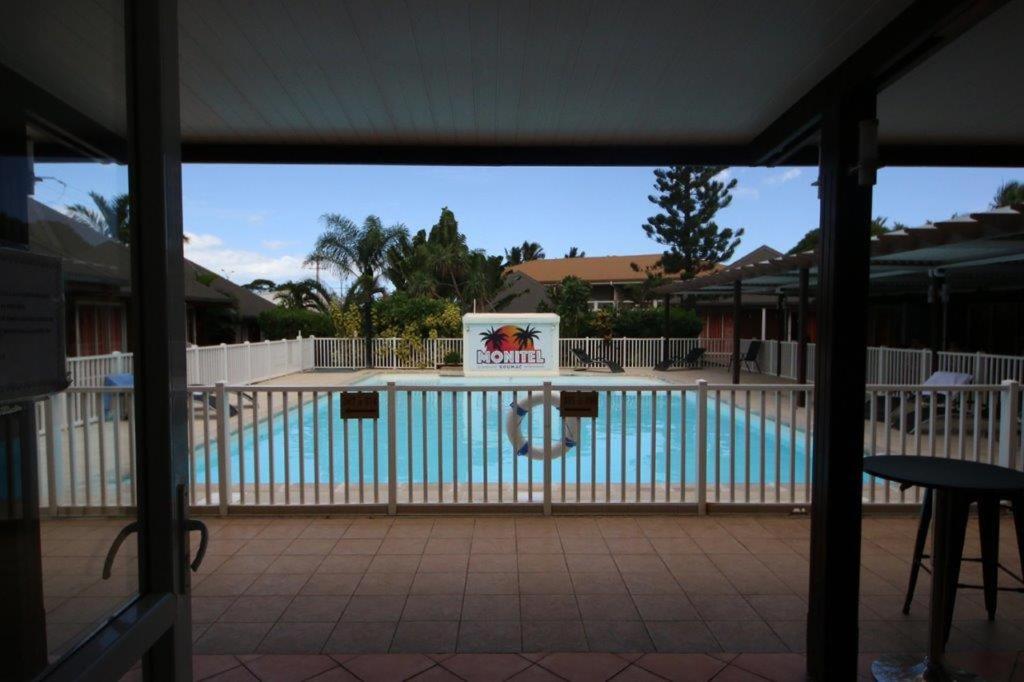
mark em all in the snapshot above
pixel 989 531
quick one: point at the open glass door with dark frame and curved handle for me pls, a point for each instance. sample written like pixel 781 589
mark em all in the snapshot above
pixel 95 535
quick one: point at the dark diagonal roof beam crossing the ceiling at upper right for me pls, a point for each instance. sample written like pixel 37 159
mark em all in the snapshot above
pixel 920 31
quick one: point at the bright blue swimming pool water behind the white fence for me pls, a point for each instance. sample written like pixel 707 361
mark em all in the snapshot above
pixel 624 445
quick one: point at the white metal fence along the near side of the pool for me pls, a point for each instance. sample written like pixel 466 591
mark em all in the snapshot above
pixel 698 445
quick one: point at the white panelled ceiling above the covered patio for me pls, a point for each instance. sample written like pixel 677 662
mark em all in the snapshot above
pixel 574 73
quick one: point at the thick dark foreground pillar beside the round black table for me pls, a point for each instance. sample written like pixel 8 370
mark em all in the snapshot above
pixel 839 391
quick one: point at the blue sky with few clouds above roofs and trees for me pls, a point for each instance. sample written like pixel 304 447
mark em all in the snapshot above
pixel 248 222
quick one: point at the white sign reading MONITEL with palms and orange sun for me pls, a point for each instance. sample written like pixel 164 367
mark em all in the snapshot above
pixel 510 345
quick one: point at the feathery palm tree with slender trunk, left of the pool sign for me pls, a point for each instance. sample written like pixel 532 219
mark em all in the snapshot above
pixel 360 252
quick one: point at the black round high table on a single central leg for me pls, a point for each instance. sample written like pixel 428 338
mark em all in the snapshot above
pixel 956 486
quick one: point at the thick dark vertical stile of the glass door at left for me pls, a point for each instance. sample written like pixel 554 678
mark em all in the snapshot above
pixel 158 308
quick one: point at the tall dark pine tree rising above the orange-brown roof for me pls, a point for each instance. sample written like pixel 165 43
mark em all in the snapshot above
pixel 690 197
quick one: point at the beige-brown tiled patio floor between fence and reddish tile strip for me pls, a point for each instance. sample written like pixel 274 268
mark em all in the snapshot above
pixel 612 584
